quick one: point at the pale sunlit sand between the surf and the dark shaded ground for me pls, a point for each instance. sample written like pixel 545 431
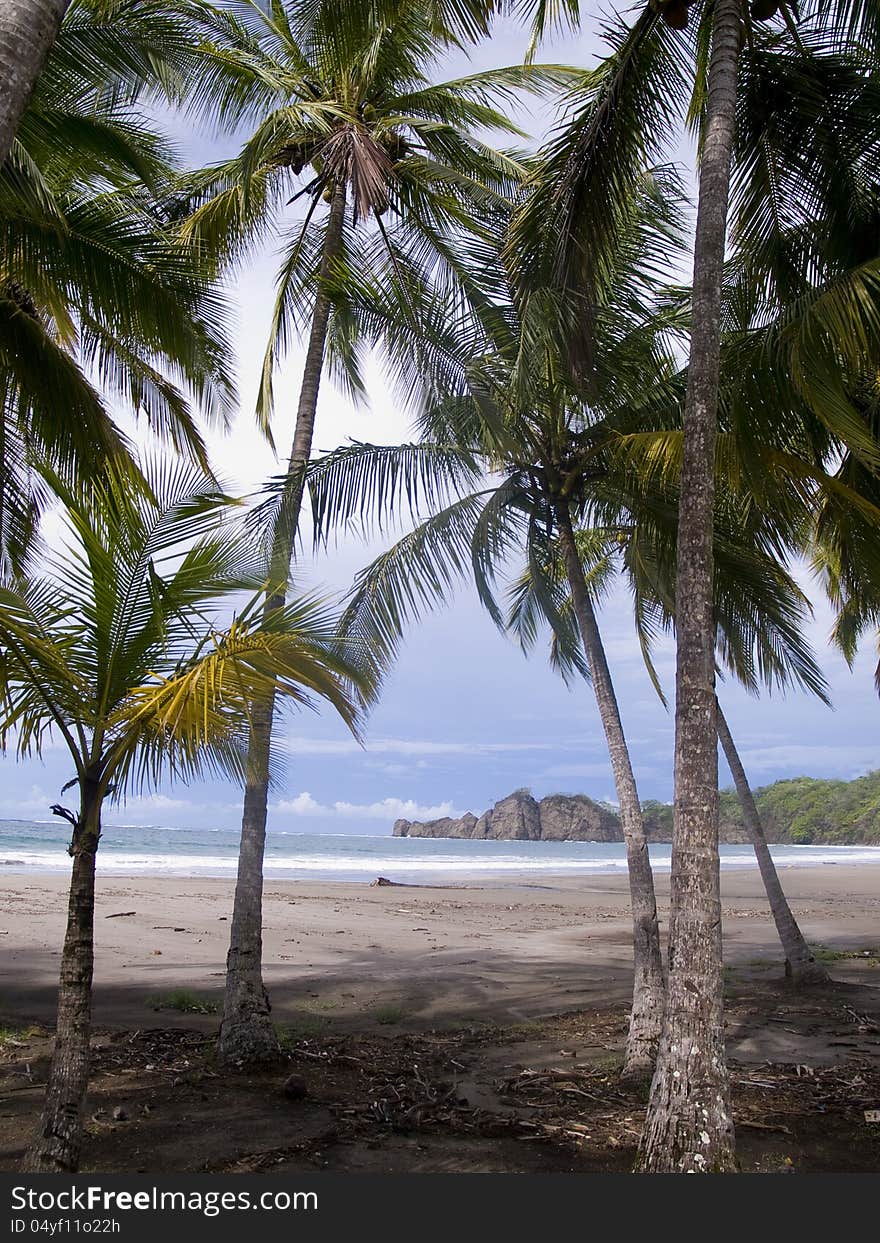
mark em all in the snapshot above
pixel 337 953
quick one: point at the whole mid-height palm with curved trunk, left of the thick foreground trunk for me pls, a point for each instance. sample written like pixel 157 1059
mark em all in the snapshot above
pixel 551 456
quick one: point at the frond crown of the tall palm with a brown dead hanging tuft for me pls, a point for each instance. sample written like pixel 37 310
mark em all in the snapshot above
pixel 355 105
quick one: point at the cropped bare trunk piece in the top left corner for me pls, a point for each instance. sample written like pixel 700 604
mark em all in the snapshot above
pixel 28 30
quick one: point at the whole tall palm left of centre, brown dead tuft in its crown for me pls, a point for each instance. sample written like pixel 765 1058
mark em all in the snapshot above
pixel 393 160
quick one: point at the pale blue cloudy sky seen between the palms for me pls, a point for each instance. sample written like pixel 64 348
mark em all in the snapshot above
pixel 465 718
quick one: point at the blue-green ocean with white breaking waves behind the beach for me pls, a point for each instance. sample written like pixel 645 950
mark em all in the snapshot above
pixel 40 847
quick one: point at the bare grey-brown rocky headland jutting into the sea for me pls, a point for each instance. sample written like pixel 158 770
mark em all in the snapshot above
pixel 521 819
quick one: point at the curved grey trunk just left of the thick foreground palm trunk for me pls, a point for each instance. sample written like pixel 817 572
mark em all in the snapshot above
pixel 648 986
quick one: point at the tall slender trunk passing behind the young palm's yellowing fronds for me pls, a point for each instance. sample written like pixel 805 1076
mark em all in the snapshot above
pixel 247 1032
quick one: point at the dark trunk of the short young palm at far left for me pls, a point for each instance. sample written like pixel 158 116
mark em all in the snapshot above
pixel 57 1147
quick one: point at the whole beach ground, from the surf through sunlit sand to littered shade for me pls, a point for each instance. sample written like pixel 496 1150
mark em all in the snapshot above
pixel 436 1030
